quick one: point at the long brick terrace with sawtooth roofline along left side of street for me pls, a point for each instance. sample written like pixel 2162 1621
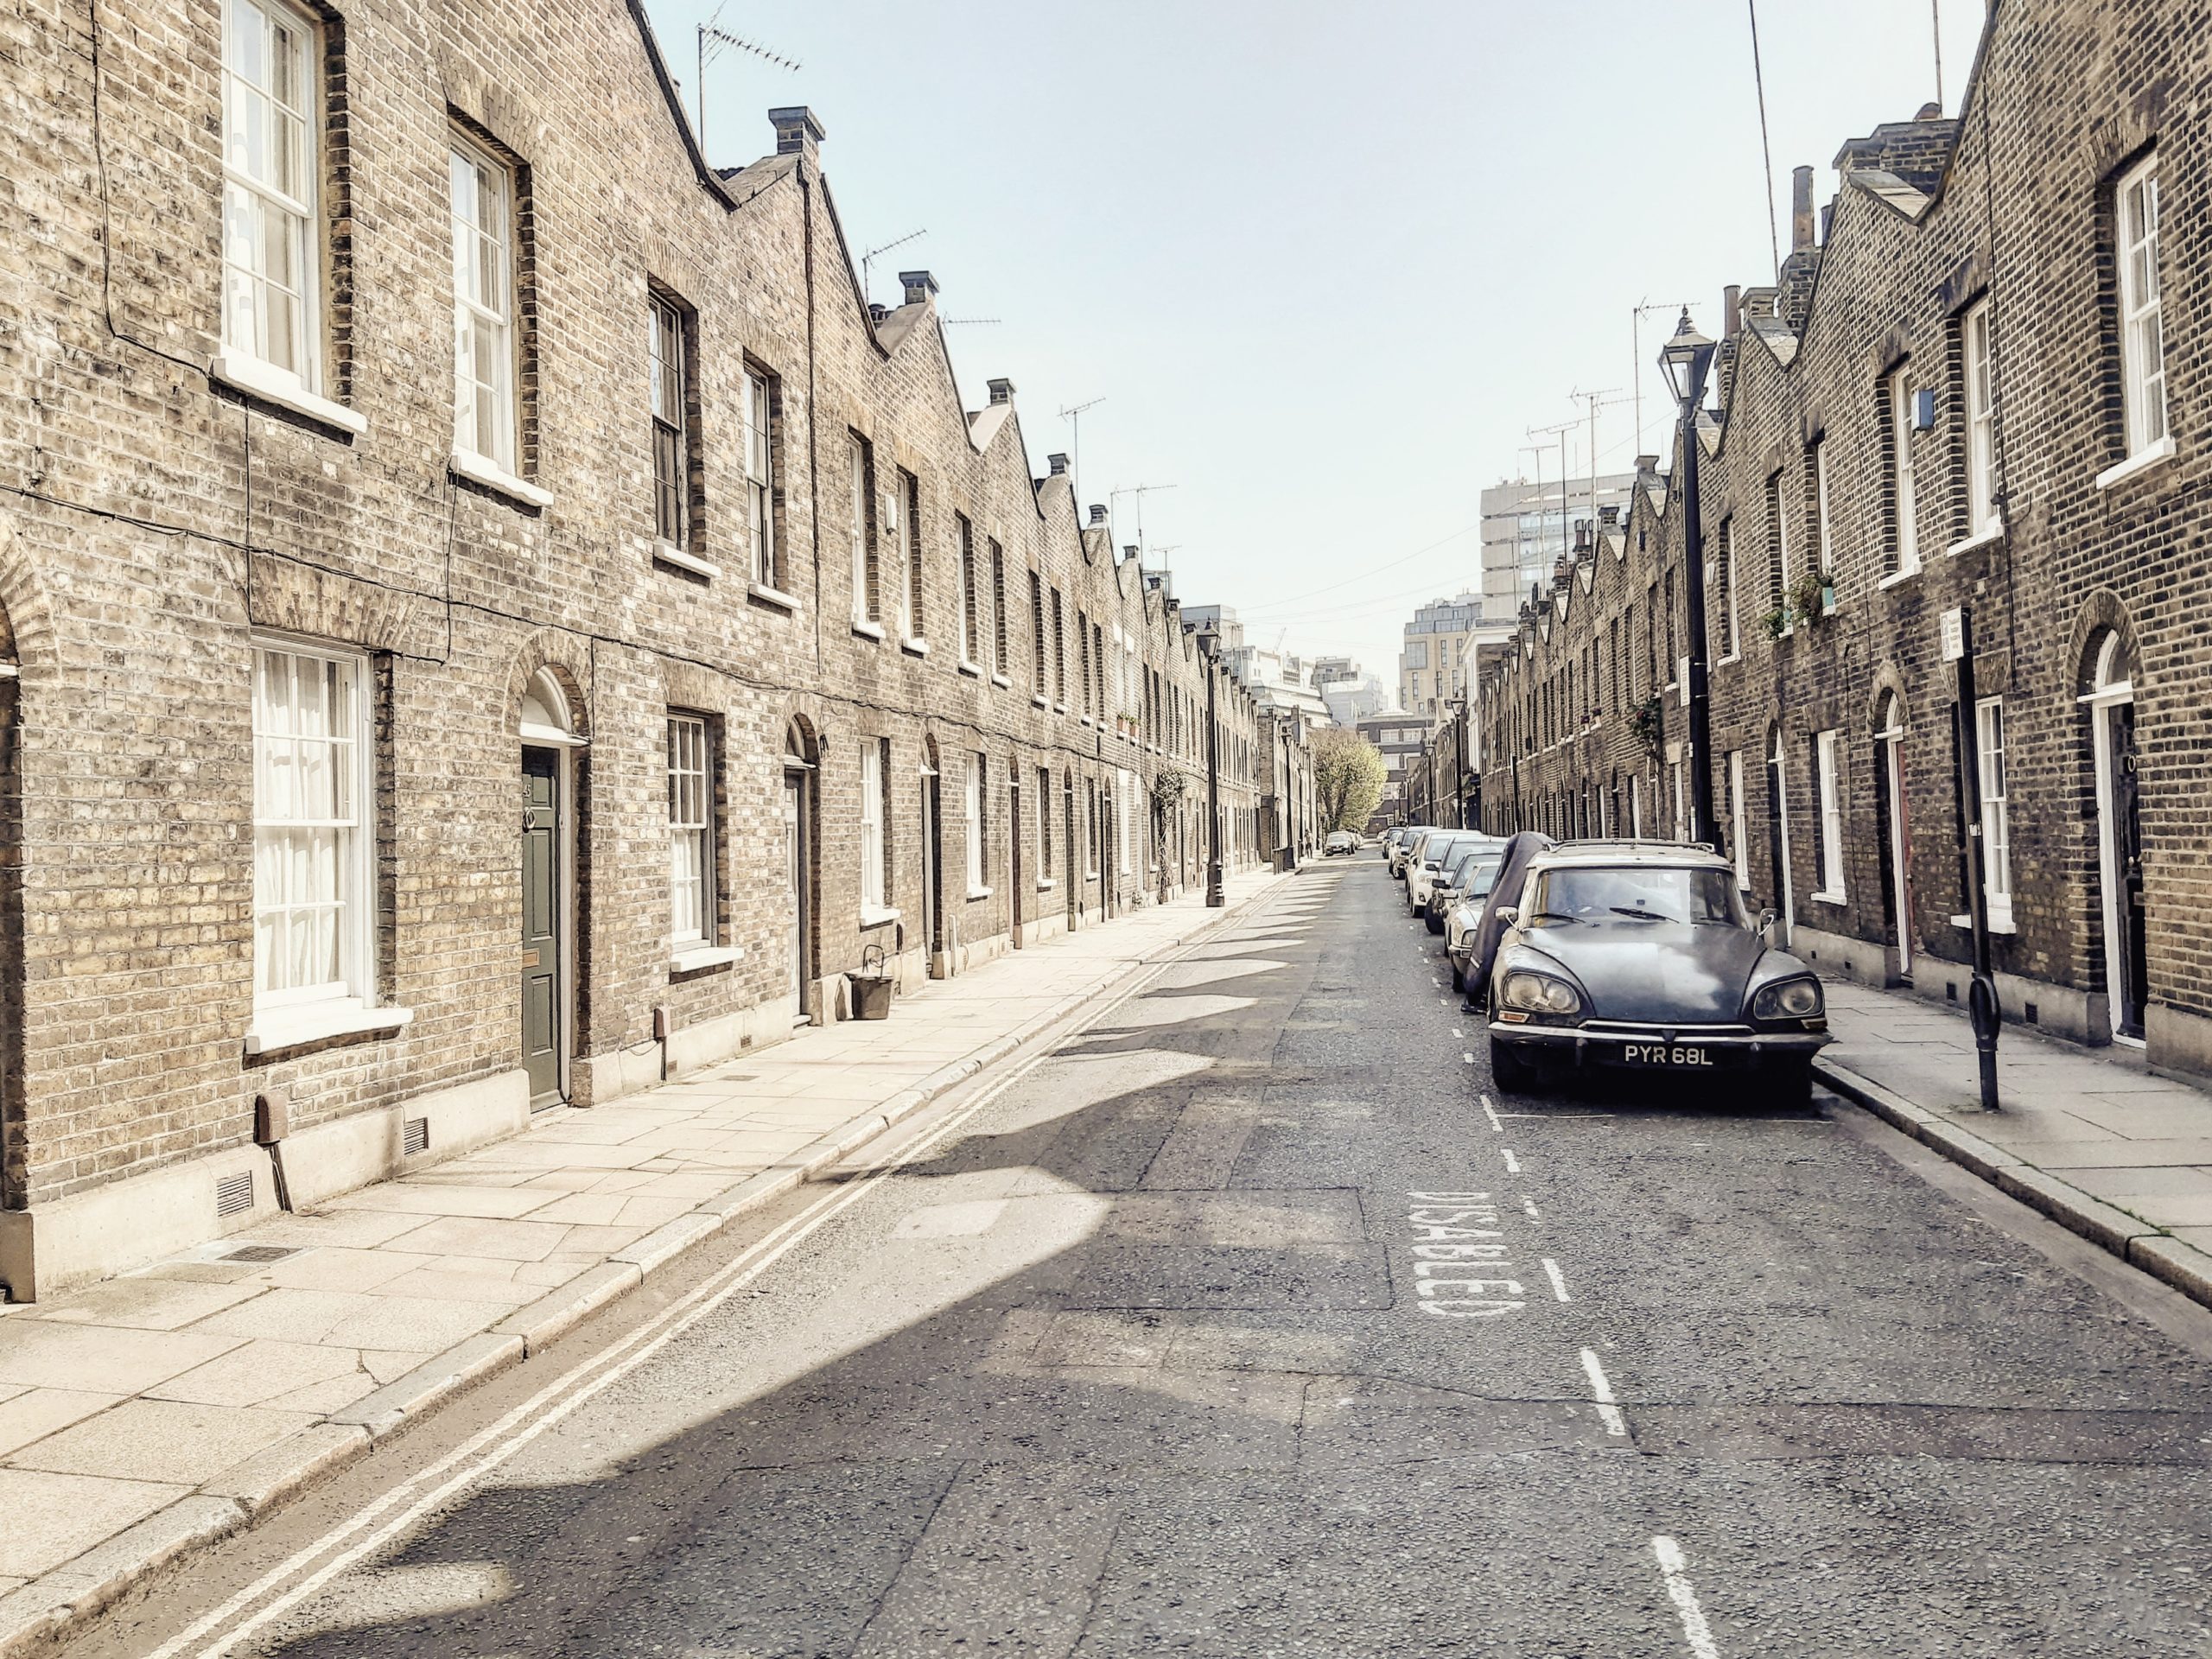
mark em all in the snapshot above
pixel 494 616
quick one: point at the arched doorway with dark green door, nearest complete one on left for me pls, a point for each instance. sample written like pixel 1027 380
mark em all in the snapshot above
pixel 547 959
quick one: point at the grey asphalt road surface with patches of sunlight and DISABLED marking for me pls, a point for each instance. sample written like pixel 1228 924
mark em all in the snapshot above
pixel 1255 1322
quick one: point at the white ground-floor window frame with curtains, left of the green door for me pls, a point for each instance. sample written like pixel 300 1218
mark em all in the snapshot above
pixel 351 826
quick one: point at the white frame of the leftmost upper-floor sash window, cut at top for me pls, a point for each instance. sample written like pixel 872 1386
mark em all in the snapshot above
pixel 253 196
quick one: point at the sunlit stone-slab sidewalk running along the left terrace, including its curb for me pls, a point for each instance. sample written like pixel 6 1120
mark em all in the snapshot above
pixel 156 1412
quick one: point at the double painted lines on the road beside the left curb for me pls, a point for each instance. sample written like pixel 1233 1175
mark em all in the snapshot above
pixel 501 1441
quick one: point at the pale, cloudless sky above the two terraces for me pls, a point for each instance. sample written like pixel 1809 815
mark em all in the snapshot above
pixel 1326 264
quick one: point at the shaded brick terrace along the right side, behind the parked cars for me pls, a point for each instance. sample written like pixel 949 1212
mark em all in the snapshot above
pixel 1985 384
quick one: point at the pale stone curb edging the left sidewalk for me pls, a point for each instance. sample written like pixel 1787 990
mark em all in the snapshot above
pixel 43 1611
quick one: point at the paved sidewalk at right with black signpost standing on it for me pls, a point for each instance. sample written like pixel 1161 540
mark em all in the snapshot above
pixel 2089 1136
